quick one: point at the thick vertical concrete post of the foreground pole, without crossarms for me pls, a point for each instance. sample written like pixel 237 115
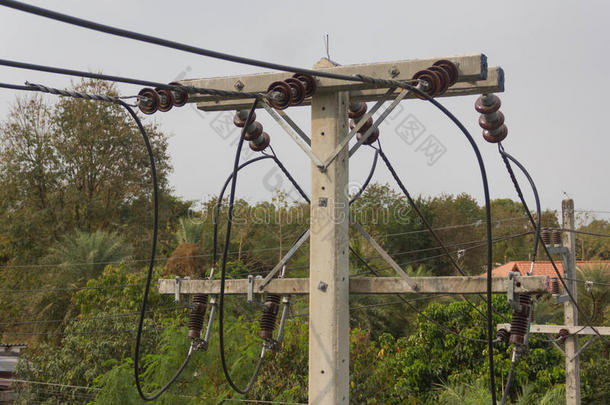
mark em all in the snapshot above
pixel 329 253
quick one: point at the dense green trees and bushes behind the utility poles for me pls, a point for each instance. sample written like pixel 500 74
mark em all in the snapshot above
pixel 74 237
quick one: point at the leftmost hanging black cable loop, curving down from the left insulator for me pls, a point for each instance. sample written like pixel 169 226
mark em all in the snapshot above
pixel 136 361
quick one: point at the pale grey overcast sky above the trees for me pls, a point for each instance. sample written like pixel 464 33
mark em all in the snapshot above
pixel 555 56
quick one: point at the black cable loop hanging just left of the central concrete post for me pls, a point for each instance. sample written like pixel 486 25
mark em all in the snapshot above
pixel 225 252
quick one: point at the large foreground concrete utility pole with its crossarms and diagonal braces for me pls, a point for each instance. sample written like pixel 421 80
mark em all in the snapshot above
pixel 329 284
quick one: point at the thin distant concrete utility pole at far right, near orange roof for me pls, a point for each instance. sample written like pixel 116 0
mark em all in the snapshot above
pixel 568 240
